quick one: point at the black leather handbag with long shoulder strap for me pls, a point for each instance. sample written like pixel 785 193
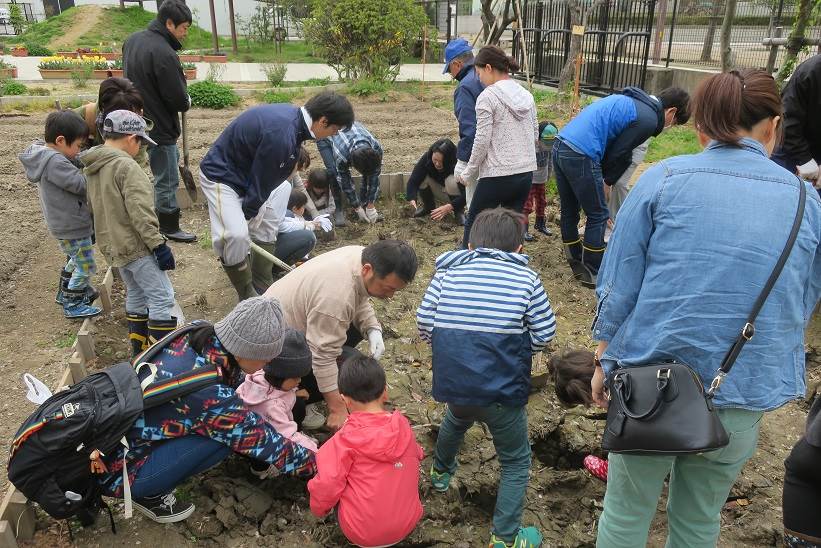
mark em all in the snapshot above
pixel 662 408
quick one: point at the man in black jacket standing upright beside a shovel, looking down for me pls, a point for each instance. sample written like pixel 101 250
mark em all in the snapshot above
pixel 150 61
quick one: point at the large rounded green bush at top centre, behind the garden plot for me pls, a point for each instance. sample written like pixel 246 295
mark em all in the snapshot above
pixel 364 38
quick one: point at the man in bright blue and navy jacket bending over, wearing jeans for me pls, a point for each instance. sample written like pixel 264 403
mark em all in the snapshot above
pixel 596 147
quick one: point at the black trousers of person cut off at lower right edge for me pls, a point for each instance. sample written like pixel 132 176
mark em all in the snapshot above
pixel 802 491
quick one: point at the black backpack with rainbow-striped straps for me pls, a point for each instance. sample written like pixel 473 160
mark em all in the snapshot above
pixel 57 450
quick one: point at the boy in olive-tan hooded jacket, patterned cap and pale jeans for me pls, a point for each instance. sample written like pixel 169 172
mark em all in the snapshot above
pixel 127 229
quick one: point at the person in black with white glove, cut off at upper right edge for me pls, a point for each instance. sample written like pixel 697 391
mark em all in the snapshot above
pixel 801 150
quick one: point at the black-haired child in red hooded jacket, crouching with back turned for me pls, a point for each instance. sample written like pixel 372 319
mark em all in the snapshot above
pixel 370 468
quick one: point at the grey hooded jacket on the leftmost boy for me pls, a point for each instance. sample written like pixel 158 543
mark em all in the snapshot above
pixel 62 189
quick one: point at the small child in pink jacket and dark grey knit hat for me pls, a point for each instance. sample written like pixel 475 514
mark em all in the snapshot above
pixel 271 392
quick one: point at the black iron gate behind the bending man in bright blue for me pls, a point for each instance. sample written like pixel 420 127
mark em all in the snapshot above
pixel 615 42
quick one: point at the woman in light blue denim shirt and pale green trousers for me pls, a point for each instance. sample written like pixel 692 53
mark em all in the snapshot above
pixel 696 240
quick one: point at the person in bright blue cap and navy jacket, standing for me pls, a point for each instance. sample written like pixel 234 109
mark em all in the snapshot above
pixel 459 63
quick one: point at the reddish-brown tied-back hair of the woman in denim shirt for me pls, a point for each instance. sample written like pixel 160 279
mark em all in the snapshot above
pixel 737 100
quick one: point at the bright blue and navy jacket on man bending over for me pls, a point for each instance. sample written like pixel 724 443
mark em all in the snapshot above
pixel 609 129
